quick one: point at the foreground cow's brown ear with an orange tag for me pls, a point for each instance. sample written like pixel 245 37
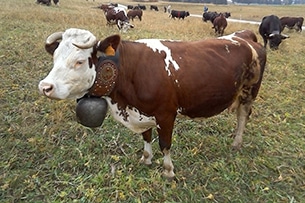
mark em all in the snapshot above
pixel 109 45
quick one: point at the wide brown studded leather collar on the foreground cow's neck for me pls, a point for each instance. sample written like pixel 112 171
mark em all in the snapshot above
pixel 107 69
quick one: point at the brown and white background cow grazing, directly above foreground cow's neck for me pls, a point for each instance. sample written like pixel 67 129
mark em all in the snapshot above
pixel 118 16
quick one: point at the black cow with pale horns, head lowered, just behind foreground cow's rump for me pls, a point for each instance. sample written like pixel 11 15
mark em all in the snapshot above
pixel 270 30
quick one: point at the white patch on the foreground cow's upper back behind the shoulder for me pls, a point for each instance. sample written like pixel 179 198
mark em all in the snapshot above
pixel 156 45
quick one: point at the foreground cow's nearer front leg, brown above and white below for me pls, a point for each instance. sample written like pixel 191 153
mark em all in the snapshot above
pixel 165 130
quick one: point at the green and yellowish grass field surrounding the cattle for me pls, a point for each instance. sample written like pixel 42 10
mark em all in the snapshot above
pixel 46 156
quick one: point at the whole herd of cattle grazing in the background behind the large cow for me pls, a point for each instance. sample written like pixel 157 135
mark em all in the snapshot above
pixel 270 28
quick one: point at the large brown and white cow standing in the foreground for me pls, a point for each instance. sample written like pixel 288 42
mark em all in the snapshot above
pixel 156 80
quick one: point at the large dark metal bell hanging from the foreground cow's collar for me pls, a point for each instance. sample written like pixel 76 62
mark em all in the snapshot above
pixel 91 112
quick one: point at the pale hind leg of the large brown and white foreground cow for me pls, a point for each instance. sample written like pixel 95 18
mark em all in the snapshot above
pixel 243 112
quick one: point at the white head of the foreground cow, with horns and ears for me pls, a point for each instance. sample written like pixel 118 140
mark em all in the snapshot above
pixel 75 61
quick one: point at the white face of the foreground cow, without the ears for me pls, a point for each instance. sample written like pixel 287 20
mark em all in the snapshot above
pixel 73 72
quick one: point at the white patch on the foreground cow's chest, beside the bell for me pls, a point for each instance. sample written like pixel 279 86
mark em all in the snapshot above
pixel 136 121
